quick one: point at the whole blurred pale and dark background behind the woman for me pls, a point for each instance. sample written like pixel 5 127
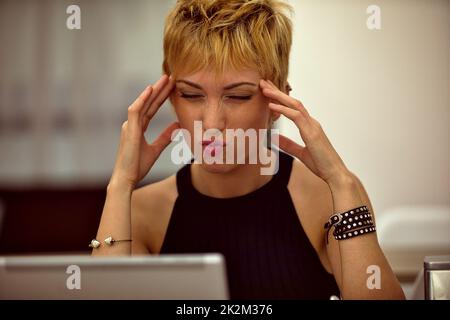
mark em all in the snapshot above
pixel 381 95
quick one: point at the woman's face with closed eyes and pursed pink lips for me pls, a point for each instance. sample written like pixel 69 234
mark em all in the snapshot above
pixel 234 101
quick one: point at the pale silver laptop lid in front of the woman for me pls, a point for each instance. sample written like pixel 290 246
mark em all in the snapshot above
pixel 199 276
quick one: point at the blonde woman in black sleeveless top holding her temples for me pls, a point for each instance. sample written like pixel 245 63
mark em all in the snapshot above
pixel 228 67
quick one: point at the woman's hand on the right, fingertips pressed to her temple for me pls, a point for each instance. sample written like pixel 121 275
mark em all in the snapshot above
pixel 318 154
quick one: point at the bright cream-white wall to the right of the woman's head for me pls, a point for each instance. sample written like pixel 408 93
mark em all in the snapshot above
pixel 382 96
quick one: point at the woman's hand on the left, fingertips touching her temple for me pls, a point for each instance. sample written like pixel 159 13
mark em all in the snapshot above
pixel 135 156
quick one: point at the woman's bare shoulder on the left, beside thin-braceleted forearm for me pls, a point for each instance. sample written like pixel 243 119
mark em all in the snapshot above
pixel 151 207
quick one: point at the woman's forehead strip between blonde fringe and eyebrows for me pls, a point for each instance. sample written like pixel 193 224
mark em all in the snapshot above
pixel 209 78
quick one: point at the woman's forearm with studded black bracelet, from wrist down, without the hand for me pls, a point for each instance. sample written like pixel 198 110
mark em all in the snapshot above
pixel 351 258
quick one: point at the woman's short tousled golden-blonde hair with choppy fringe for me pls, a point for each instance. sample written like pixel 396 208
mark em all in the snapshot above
pixel 229 33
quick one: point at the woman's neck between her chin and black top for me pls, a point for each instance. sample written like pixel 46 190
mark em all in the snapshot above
pixel 243 179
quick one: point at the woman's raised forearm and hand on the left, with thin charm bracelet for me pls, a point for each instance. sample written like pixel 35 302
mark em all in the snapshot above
pixel 134 160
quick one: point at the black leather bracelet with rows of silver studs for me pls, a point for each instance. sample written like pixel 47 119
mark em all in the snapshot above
pixel 351 223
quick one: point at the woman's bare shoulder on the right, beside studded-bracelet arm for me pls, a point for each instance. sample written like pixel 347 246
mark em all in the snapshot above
pixel 313 202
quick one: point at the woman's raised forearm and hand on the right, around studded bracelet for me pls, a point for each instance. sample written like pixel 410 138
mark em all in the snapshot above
pixel 349 258
